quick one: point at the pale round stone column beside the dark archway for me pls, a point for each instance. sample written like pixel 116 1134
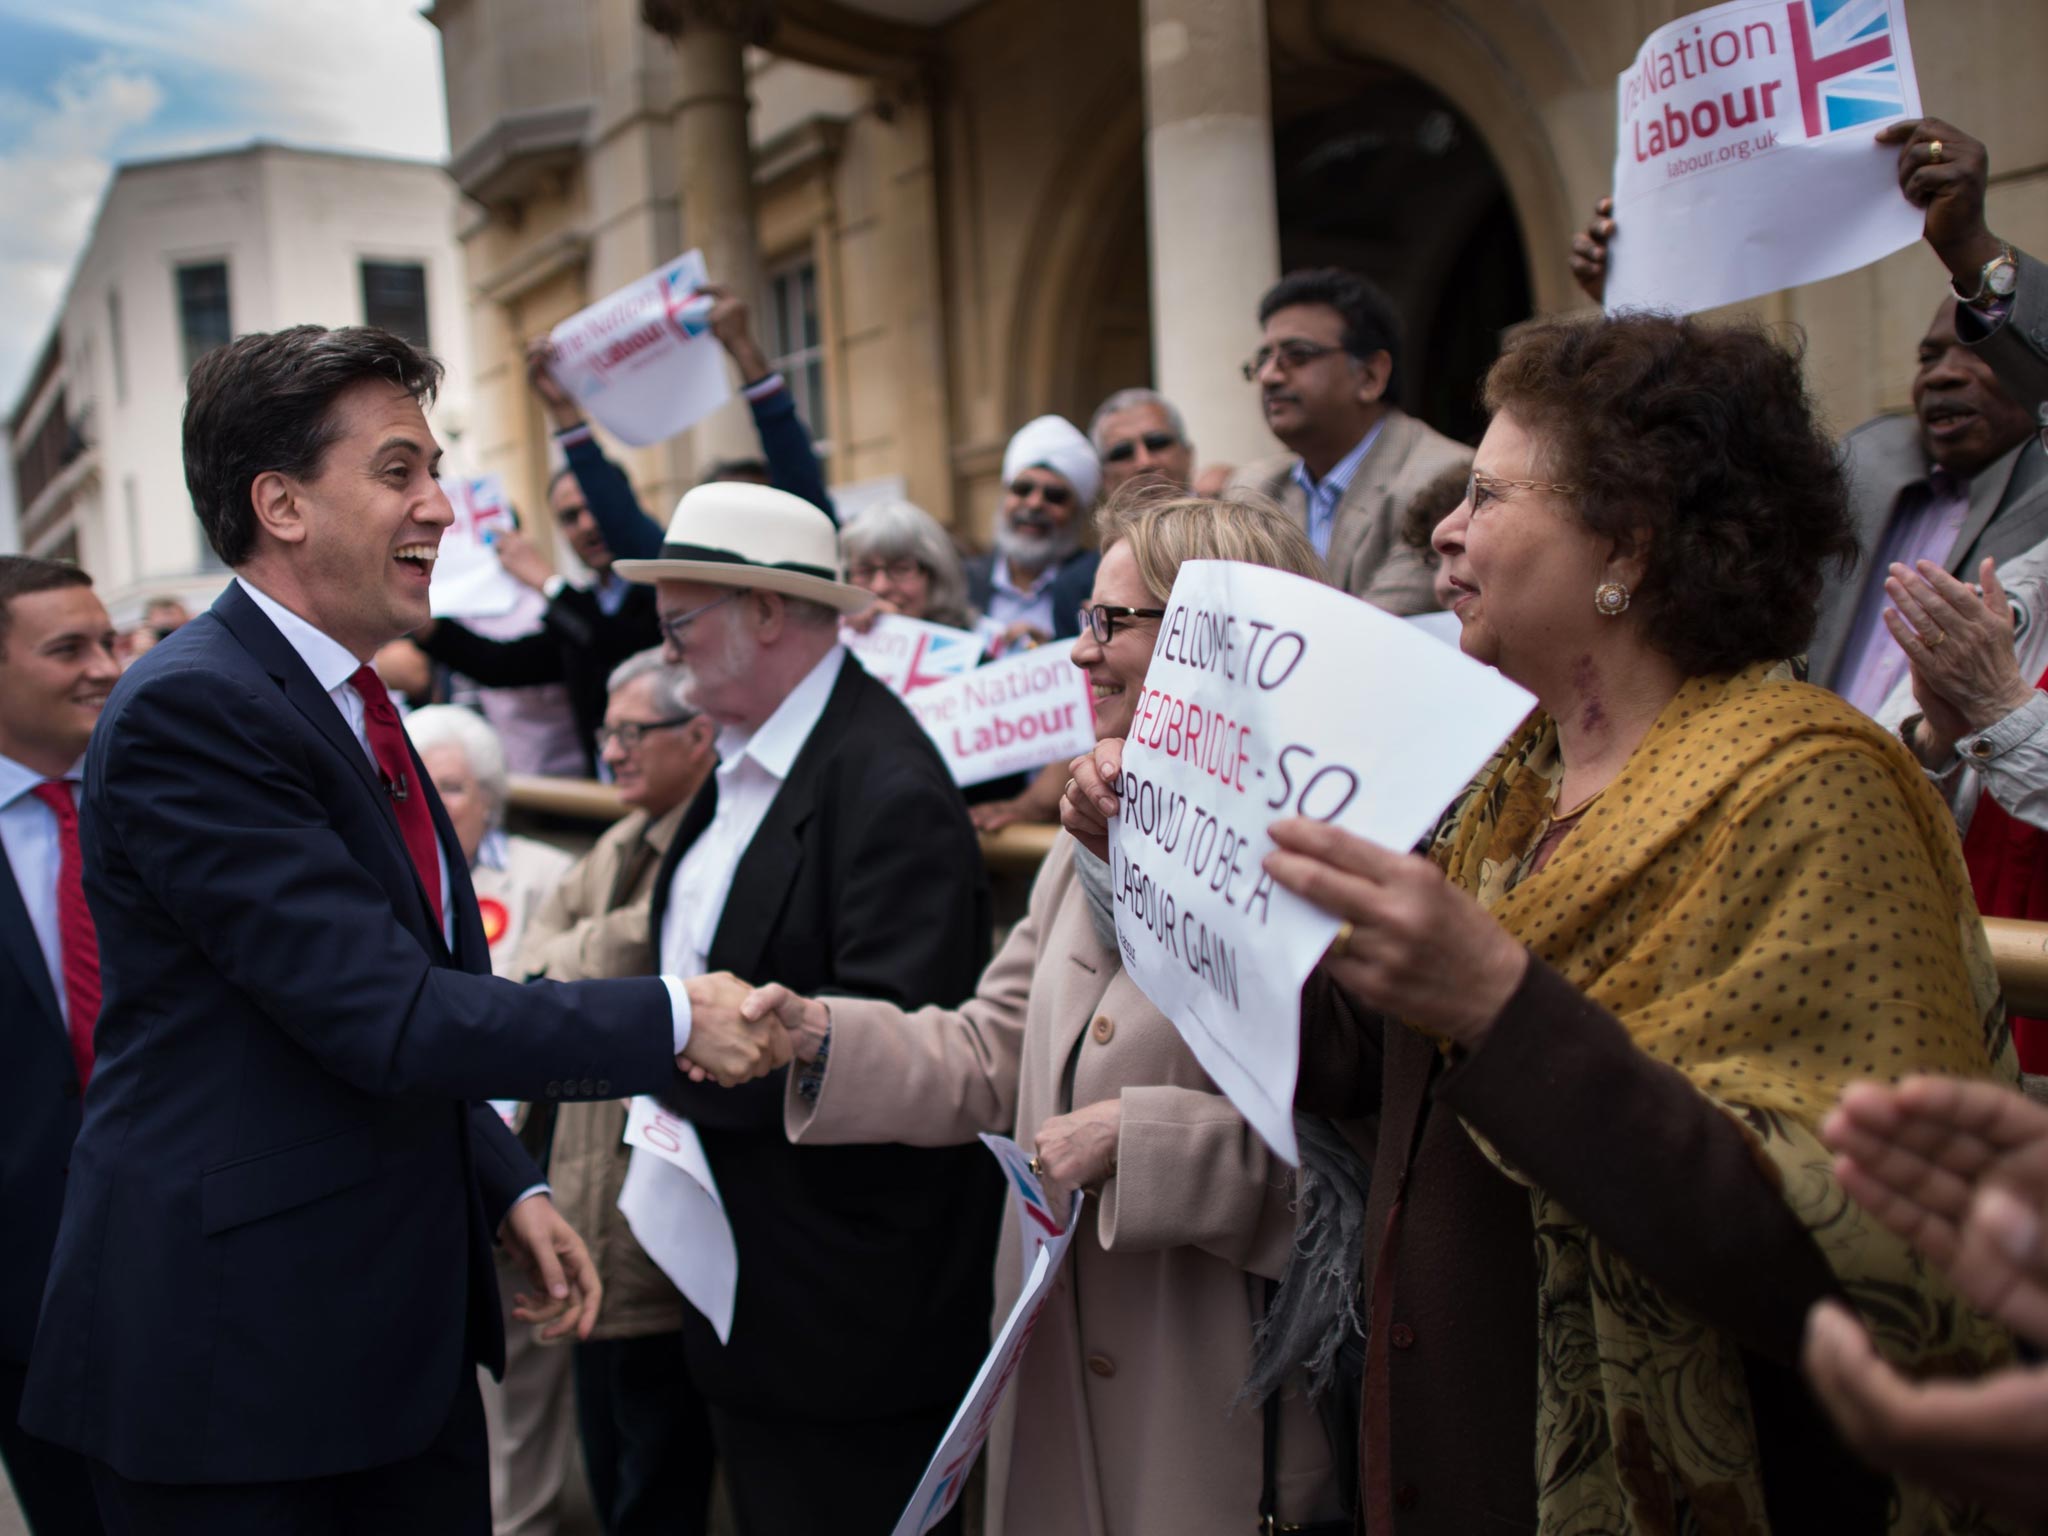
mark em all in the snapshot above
pixel 1213 216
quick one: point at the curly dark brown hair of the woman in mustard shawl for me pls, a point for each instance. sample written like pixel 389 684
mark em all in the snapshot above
pixel 1699 445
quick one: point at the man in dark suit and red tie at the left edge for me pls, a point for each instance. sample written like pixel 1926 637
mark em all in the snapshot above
pixel 56 671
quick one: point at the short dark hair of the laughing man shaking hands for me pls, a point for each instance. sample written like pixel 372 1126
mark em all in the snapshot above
pixel 265 402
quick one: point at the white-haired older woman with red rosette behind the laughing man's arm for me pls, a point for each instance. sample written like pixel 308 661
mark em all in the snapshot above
pixel 529 1414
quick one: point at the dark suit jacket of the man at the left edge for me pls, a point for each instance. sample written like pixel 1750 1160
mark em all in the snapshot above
pixel 38 1119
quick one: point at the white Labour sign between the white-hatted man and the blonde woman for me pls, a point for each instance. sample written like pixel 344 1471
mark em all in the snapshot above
pixel 1011 716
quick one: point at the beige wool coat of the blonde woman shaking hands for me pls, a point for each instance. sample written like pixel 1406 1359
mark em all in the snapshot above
pixel 1119 1420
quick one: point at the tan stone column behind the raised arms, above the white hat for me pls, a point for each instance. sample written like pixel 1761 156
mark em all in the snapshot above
pixel 716 171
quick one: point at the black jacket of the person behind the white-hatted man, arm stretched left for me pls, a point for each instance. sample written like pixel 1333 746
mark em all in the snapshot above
pixel 579 644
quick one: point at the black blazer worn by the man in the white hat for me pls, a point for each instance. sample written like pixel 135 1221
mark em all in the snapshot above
pixel 863 1271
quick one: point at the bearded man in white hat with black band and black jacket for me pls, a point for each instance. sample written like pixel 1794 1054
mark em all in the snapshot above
pixel 830 851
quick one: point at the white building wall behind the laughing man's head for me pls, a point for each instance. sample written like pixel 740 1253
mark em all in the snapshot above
pixel 294 228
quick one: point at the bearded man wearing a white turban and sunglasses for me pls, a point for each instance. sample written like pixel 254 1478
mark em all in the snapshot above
pixel 1033 587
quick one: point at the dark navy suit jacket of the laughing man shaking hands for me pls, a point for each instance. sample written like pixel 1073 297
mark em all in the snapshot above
pixel 275 1246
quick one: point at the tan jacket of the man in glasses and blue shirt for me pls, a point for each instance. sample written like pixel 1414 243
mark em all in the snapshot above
pixel 1367 556
